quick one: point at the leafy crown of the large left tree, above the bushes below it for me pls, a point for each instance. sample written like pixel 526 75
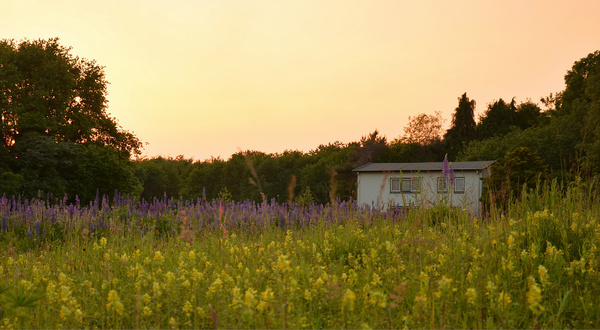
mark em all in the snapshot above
pixel 46 90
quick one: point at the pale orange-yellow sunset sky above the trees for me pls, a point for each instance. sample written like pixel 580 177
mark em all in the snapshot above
pixel 204 78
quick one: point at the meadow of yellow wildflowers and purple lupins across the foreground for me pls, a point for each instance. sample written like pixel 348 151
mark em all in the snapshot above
pixel 116 263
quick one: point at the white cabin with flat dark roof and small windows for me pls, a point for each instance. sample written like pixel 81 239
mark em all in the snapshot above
pixel 384 185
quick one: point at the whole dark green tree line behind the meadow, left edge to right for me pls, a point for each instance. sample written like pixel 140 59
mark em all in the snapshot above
pixel 58 138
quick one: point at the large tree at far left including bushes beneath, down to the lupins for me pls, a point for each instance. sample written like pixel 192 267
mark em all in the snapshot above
pixel 56 134
